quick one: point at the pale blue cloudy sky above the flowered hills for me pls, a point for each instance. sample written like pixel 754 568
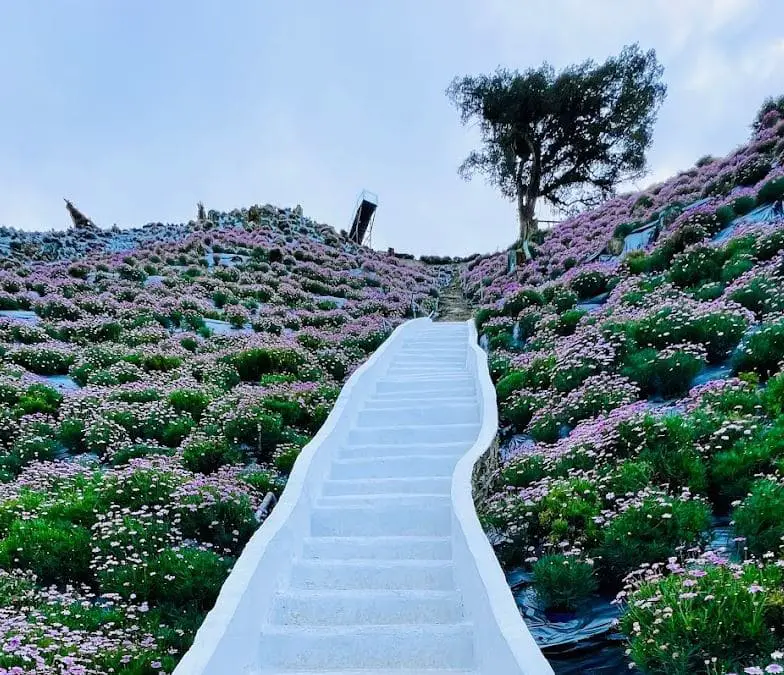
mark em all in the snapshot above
pixel 137 110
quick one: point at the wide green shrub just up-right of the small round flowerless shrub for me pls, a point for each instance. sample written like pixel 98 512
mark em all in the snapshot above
pixel 651 532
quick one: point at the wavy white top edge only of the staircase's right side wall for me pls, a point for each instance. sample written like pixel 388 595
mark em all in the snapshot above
pixel 525 653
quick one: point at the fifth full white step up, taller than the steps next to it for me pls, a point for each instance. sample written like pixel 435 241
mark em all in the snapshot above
pixel 352 520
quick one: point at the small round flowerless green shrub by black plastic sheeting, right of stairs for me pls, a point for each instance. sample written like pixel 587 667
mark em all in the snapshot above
pixel 563 583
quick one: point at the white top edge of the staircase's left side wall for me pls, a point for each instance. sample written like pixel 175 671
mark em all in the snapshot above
pixel 200 658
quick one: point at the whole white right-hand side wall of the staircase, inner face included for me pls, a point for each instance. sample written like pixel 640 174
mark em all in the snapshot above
pixel 510 648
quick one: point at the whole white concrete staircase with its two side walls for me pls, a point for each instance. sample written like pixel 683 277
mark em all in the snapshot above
pixel 372 587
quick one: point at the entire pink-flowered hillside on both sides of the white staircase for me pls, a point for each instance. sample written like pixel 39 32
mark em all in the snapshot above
pixel 158 383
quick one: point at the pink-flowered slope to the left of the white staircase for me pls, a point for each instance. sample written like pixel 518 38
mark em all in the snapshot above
pixel 156 385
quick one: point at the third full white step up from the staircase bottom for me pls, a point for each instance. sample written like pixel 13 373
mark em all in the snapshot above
pixel 434 575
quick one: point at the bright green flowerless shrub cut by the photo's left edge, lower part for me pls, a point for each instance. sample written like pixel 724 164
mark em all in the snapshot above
pixel 56 552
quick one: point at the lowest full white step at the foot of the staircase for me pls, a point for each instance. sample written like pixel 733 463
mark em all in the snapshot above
pixel 422 646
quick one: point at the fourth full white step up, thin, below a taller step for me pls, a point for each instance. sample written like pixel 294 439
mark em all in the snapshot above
pixel 378 548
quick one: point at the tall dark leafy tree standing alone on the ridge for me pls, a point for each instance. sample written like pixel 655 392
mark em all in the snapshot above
pixel 569 138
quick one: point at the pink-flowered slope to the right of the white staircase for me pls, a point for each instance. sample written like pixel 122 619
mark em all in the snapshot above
pixel 637 361
